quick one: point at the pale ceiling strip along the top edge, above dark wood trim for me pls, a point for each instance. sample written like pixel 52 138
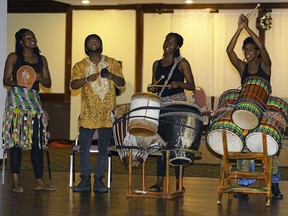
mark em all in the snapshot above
pixel 117 2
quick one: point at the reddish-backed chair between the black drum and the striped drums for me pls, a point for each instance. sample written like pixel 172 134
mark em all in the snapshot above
pixel 201 100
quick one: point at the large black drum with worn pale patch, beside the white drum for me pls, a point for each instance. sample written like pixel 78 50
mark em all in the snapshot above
pixel 180 126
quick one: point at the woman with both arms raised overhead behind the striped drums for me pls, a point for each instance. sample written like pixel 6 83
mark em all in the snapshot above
pixel 256 63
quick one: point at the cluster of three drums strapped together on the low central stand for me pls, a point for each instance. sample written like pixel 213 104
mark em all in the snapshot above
pixel 144 127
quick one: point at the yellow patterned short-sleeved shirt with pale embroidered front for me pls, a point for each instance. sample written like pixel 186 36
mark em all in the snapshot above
pixel 98 98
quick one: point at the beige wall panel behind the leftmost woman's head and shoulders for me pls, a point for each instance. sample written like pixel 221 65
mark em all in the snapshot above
pixel 50 33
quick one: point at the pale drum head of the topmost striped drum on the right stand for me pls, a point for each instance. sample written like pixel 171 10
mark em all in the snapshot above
pixel 245 119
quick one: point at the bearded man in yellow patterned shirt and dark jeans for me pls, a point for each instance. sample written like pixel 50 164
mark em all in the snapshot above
pixel 97 76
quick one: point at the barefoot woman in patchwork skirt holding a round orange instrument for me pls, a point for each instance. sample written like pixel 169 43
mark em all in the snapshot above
pixel 25 122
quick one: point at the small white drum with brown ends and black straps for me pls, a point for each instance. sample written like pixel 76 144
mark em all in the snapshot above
pixel 144 114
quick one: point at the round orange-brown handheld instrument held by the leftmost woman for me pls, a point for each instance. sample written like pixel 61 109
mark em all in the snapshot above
pixel 26 76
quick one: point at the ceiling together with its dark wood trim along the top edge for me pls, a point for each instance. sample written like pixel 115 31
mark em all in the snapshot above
pixel 148 6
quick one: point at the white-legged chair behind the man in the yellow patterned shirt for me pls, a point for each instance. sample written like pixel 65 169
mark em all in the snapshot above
pixel 93 149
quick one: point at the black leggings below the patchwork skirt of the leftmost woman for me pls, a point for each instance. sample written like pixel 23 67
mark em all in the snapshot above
pixel 36 154
